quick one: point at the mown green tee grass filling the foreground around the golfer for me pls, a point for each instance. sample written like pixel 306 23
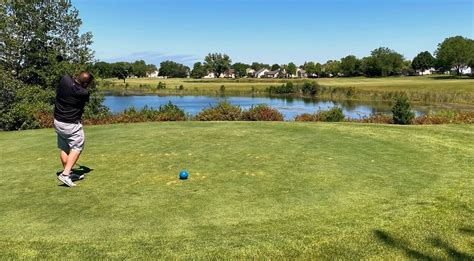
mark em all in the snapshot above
pixel 256 190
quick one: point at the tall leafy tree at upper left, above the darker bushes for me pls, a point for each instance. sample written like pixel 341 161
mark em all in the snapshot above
pixel 40 41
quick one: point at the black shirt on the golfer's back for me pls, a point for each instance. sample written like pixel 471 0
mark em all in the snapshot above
pixel 70 101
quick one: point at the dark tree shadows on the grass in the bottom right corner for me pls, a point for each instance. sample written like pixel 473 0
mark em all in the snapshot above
pixel 450 251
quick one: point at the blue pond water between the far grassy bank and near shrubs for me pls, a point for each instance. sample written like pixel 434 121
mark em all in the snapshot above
pixel 289 107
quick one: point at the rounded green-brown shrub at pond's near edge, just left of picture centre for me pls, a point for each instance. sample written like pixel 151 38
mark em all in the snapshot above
pixel 224 111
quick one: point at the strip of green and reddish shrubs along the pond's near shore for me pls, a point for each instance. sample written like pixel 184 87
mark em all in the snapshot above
pixel 262 112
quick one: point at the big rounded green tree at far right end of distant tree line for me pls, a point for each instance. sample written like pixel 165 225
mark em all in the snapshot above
pixel 455 52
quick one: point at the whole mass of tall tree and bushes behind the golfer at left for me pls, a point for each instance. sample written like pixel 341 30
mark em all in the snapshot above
pixel 39 43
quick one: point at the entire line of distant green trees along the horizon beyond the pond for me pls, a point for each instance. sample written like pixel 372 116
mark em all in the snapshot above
pixel 453 53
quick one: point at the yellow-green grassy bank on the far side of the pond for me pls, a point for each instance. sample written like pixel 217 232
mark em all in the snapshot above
pixel 422 89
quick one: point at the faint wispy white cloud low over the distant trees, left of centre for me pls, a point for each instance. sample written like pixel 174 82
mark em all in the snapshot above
pixel 154 58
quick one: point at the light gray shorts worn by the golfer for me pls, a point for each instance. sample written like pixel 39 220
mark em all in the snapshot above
pixel 70 136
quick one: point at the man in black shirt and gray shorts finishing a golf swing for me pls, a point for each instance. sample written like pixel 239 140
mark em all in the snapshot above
pixel 71 97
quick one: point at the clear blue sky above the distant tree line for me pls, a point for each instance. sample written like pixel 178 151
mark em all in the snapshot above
pixel 269 31
